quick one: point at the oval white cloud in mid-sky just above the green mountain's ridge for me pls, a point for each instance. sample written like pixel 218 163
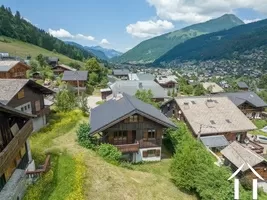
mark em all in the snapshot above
pixel 150 28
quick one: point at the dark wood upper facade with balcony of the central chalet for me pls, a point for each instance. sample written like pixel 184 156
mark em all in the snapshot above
pixel 133 133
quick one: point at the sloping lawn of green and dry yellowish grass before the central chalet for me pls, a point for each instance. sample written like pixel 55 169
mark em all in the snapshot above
pixel 102 180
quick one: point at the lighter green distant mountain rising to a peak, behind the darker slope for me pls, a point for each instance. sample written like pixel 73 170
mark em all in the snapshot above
pixel 150 50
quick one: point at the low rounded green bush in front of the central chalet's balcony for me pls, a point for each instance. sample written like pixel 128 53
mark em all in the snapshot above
pixel 110 153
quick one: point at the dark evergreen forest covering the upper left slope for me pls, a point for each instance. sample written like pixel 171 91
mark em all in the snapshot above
pixel 16 27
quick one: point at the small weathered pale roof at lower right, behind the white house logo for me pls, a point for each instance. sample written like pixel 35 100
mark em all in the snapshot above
pixel 238 155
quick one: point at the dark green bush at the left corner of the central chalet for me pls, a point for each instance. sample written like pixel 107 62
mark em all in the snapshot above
pixel 83 137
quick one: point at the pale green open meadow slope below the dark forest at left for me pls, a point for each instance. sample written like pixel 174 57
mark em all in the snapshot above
pixel 22 49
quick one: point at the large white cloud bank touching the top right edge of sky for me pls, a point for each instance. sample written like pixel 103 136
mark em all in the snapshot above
pixel 193 11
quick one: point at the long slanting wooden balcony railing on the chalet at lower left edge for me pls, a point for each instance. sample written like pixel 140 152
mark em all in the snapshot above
pixel 11 150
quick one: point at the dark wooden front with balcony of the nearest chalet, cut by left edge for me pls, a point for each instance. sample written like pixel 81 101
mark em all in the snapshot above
pixel 14 131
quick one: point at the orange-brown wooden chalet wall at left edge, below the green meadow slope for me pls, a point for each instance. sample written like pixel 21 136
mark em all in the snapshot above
pixel 18 71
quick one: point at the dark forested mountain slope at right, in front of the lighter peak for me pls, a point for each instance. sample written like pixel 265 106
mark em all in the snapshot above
pixel 225 44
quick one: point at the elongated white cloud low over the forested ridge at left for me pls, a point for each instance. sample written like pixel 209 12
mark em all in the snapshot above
pixel 62 33
